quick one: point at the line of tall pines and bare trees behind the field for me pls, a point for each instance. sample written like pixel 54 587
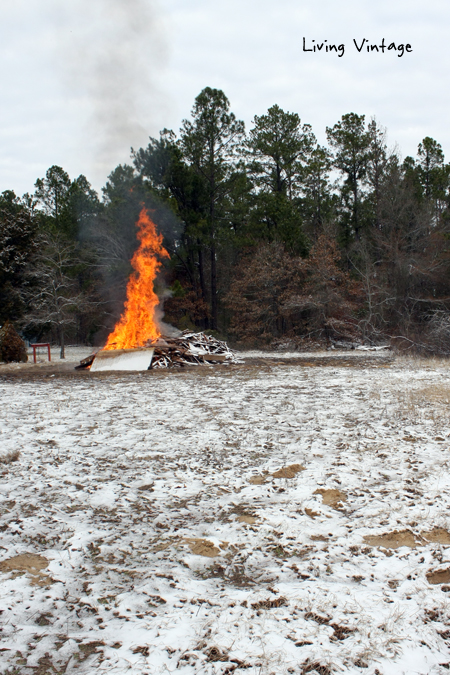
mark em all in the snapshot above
pixel 273 238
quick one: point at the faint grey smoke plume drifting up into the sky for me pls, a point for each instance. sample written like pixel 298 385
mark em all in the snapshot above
pixel 113 53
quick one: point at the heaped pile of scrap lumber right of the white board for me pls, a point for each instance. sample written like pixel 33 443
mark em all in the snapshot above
pixel 189 349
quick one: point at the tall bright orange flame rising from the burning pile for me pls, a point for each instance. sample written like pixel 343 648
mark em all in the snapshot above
pixel 137 323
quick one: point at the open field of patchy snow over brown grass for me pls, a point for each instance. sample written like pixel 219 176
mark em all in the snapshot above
pixel 271 517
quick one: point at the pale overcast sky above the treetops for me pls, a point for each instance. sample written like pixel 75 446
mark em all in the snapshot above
pixel 83 81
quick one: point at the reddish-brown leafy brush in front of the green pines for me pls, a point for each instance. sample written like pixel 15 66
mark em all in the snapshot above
pixel 274 293
